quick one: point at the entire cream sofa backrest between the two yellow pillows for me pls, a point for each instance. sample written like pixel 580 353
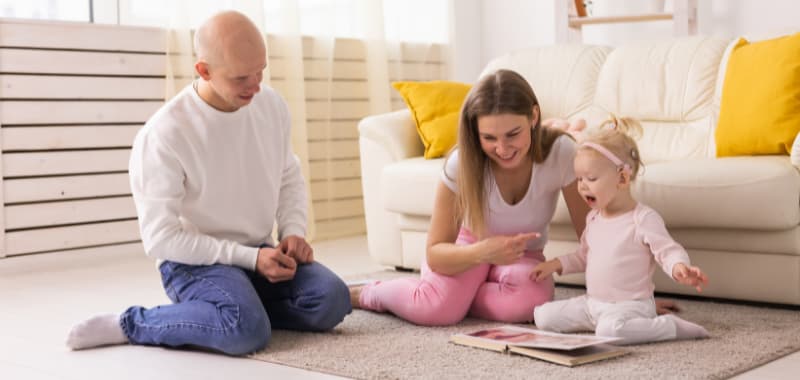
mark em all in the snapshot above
pixel 669 86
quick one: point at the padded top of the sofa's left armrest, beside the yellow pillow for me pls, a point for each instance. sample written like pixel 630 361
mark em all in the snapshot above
pixel 395 132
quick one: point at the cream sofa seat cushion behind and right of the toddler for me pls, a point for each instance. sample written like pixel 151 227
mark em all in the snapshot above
pixel 755 193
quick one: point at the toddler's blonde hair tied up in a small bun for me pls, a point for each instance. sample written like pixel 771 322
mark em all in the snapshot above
pixel 618 135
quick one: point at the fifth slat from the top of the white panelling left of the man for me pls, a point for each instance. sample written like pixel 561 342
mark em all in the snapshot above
pixel 41 138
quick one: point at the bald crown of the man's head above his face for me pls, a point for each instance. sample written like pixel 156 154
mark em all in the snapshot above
pixel 228 37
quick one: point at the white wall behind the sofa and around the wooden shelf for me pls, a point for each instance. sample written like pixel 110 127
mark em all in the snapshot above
pixel 507 25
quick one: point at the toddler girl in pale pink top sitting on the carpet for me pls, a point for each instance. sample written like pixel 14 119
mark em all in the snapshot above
pixel 619 249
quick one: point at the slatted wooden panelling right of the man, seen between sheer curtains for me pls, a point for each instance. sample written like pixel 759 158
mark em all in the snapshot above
pixel 337 97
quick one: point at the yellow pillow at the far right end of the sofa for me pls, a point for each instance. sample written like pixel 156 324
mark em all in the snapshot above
pixel 760 109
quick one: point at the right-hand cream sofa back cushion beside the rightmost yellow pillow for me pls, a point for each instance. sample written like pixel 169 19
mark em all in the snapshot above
pixel 668 86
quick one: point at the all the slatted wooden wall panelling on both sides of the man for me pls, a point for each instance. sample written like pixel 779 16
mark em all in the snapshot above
pixel 73 96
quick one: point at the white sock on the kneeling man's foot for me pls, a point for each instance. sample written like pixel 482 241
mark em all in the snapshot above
pixel 100 330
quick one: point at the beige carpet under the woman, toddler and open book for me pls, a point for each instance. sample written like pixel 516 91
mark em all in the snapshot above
pixel 378 346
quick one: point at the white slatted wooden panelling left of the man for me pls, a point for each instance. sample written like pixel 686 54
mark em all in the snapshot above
pixel 72 97
